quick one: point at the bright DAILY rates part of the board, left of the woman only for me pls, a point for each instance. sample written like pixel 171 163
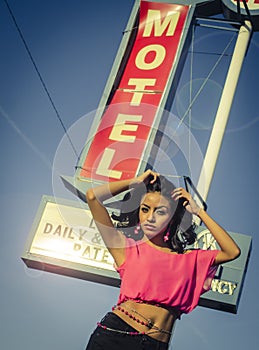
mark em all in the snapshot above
pixel 64 240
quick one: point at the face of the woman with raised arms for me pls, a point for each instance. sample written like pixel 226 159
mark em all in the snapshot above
pixel 154 214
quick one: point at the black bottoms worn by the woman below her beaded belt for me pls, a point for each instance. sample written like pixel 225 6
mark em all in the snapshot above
pixel 104 339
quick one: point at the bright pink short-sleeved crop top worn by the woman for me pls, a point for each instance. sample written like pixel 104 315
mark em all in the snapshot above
pixel 173 280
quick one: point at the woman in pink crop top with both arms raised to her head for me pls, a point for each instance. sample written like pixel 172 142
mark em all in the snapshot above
pixel 160 279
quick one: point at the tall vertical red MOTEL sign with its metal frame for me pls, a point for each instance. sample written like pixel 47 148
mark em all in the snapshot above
pixel 143 86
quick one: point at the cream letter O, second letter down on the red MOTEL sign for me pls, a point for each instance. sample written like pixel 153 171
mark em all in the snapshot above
pixel 158 59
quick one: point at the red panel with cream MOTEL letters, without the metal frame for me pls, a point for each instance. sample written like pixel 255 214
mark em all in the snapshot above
pixel 118 145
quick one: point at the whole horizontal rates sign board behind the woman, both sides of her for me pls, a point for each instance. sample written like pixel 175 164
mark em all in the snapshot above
pixel 64 240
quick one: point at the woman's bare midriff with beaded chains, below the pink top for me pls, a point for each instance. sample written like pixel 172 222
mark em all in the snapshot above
pixel 160 320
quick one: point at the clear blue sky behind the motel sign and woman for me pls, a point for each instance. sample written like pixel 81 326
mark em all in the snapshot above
pixel 74 44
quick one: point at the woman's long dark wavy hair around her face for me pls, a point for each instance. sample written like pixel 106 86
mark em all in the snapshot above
pixel 180 230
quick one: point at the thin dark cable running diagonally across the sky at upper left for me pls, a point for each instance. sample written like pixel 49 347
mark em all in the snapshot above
pixel 40 77
